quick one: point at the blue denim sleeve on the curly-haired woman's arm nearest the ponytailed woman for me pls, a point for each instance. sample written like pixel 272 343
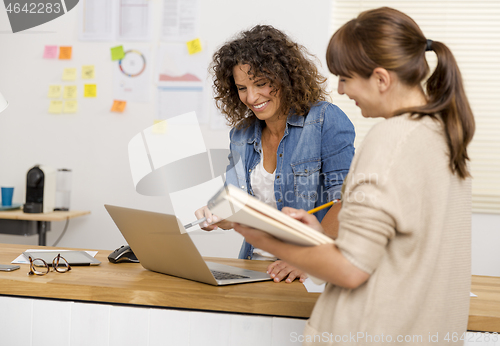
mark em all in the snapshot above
pixel 337 149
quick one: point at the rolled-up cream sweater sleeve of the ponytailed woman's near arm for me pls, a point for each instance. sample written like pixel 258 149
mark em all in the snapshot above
pixel 376 192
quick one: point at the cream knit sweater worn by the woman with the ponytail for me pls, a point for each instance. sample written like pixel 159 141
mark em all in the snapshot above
pixel 405 220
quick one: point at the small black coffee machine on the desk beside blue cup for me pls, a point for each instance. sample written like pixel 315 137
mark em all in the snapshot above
pixel 40 190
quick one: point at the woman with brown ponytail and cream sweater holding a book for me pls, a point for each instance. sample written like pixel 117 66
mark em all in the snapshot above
pixel 399 270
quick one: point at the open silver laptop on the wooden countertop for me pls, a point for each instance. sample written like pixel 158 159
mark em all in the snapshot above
pixel 162 245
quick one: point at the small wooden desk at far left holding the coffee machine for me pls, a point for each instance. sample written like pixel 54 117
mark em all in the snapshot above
pixel 20 223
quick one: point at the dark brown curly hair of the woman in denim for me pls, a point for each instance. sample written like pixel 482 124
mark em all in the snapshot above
pixel 271 54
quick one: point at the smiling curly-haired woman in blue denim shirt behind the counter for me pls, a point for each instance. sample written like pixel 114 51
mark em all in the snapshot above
pixel 294 148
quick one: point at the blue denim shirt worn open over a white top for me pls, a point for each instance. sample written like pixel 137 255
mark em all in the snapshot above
pixel 313 158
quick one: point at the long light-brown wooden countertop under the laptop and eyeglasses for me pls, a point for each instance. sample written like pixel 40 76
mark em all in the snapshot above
pixel 130 283
